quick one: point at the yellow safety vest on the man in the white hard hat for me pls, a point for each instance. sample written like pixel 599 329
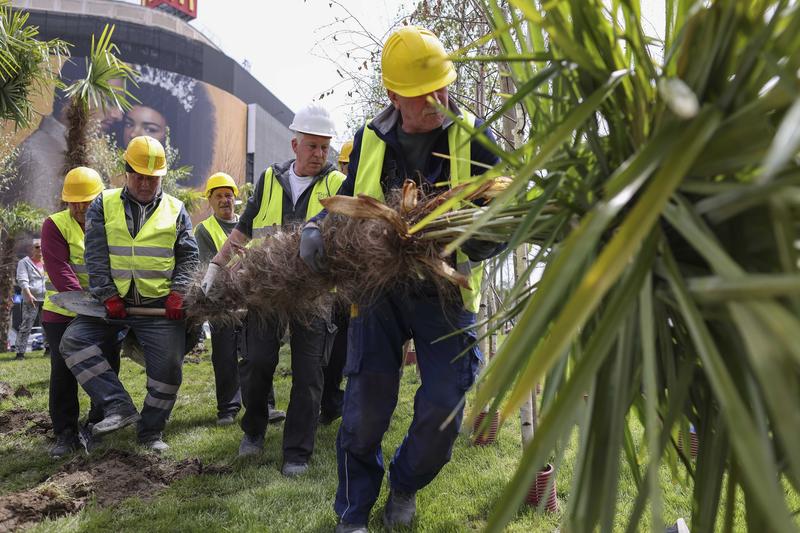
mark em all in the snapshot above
pixel 270 215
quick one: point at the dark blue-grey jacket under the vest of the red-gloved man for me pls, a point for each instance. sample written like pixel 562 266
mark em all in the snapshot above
pixel 101 284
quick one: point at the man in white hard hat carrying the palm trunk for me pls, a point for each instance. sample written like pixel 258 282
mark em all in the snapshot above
pixel 286 194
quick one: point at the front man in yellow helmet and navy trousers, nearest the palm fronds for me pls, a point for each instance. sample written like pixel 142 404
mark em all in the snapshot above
pixel 398 144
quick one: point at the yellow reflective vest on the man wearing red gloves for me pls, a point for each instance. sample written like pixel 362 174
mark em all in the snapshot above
pixel 148 259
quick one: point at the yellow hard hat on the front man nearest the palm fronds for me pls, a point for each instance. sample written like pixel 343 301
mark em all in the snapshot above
pixel 414 63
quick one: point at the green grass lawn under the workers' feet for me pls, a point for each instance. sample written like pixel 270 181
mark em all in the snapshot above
pixel 253 496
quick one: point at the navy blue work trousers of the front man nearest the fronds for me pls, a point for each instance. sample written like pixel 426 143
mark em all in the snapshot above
pixel 374 358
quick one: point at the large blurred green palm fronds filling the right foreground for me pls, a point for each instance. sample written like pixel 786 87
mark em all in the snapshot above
pixel 667 211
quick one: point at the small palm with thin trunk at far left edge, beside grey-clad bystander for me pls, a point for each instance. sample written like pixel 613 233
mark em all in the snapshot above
pixel 14 221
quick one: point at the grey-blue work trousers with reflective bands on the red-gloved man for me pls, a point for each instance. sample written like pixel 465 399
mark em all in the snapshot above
pixel 162 342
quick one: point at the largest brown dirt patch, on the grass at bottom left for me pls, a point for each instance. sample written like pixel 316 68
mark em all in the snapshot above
pixel 109 479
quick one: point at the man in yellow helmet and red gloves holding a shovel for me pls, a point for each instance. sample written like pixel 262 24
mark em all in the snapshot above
pixel 140 252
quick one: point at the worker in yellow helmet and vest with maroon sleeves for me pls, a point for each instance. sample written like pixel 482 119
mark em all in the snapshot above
pixel 65 270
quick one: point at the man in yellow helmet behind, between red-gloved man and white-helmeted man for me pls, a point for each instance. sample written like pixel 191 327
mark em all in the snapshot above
pixel 211 234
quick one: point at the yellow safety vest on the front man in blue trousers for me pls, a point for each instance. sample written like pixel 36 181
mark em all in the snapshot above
pixel 368 182
